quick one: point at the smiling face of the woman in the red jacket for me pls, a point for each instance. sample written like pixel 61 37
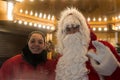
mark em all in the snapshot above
pixel 36 43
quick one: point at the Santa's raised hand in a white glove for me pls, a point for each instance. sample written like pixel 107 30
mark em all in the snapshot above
pixel 103 59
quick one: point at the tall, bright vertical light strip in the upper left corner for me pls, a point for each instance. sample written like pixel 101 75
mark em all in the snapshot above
pixel 10 10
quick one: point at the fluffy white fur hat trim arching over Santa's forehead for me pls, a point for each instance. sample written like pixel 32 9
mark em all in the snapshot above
pixel 71 16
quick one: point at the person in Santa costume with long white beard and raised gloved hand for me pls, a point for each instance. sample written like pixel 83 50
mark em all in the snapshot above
pixel 83 56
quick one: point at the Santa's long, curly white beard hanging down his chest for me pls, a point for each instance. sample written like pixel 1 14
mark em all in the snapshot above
pixel 71 66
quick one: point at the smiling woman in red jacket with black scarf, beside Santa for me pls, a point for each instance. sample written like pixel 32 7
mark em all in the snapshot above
pixel 32 63
